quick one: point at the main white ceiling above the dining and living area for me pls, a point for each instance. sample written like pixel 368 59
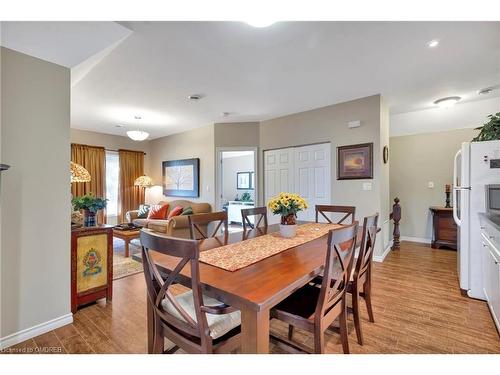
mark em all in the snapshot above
pixel 256 74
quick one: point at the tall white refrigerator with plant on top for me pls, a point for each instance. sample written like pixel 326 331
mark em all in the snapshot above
pixel 476 164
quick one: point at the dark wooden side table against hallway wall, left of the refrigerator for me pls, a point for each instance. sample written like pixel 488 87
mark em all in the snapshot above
pixel 444 229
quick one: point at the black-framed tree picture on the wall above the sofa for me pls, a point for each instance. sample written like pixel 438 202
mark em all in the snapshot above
pixel 181 178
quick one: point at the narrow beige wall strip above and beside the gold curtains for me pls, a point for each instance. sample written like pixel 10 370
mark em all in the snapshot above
pixel 112 142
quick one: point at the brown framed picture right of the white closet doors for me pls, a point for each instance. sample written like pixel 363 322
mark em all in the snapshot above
pixel 355 162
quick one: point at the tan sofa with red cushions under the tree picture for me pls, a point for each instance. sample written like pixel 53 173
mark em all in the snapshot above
pixel 178 226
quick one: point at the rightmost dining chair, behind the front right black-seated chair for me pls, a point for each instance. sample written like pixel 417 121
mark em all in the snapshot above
pixel 360 283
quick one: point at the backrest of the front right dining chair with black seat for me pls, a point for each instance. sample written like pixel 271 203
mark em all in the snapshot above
pixel 338 266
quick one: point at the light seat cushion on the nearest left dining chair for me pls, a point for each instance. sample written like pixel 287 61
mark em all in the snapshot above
pixel 219 325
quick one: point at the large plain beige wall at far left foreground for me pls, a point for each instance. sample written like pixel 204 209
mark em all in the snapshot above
pixel 35 198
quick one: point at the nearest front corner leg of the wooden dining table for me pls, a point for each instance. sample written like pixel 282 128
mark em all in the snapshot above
pixel 254 331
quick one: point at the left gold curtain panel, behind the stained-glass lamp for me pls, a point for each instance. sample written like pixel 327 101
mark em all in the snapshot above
pixel 93 159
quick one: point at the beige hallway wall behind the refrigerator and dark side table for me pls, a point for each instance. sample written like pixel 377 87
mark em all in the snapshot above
pixel 416 160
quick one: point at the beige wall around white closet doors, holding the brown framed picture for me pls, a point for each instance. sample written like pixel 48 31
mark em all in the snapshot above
pixel 329 124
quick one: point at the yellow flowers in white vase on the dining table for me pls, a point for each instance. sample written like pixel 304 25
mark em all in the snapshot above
pixel 287 205
